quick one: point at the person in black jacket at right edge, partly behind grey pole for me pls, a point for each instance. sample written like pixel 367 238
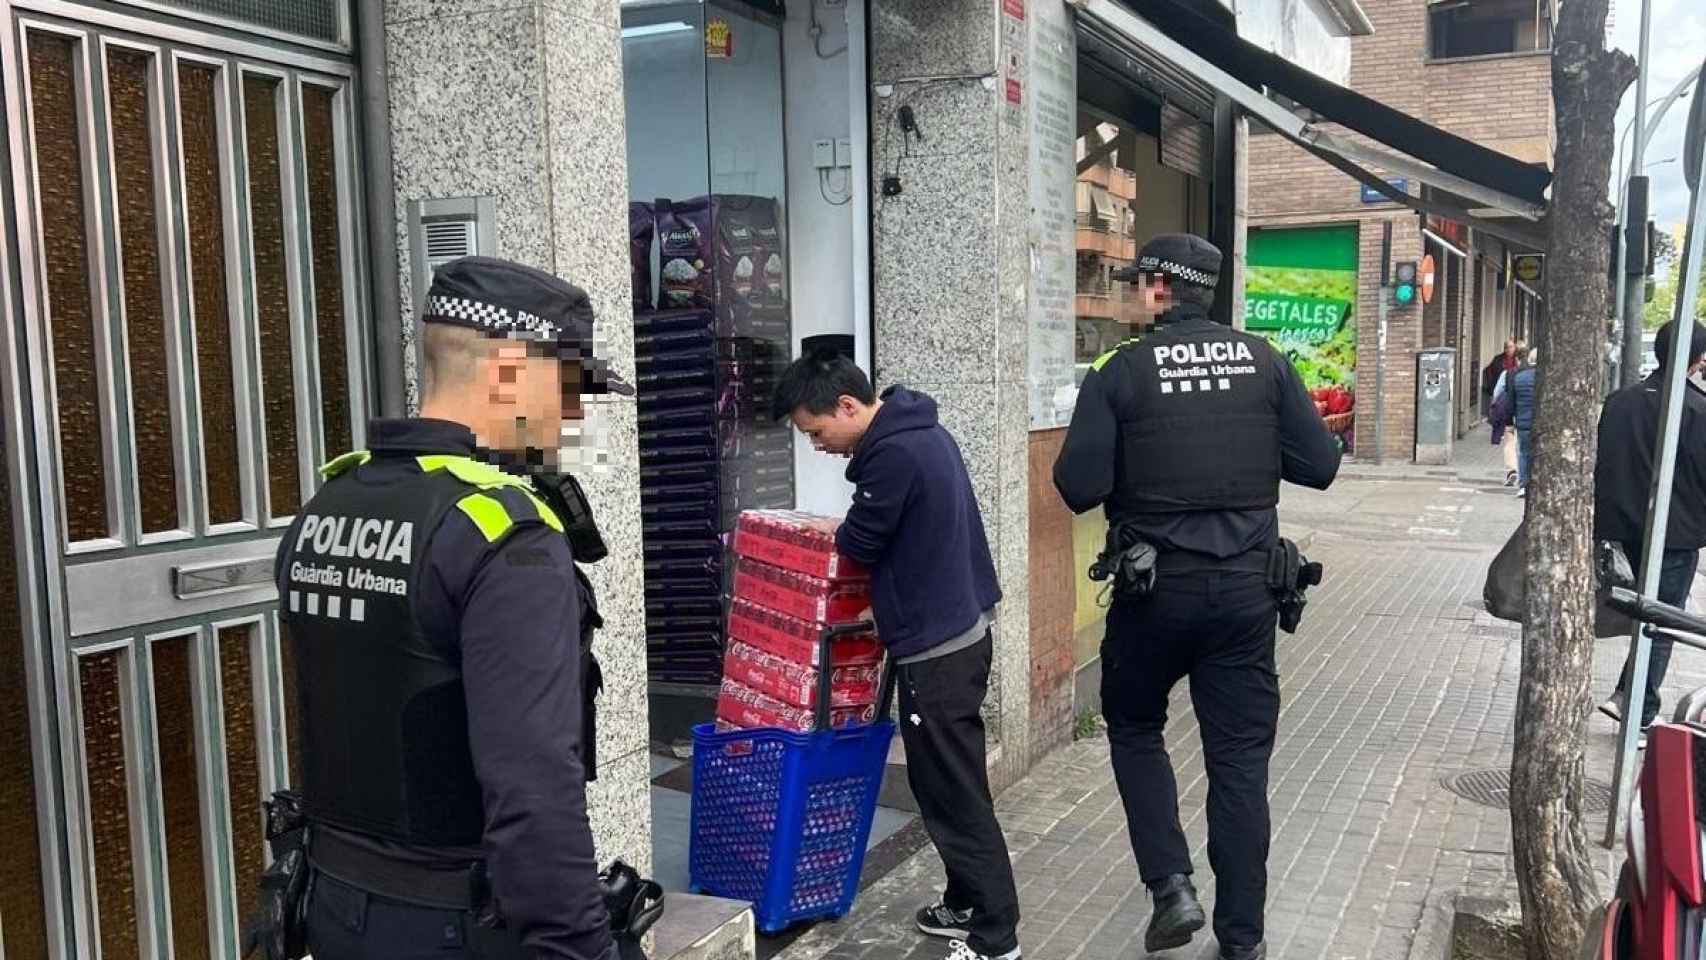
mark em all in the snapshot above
pixel 1623 482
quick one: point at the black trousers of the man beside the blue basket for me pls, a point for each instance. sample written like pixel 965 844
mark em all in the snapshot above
pixel 946 763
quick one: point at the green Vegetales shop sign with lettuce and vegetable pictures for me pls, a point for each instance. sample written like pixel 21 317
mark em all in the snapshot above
pixel 1301 294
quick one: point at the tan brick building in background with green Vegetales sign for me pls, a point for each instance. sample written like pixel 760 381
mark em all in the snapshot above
pixel 1480 71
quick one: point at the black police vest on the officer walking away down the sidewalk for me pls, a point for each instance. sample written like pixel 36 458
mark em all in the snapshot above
pixel 1205 432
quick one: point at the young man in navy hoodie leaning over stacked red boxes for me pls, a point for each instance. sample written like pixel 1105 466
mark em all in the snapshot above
pixel 915 524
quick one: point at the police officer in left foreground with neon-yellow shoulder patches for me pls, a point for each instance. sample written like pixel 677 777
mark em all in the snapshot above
pixel 436 620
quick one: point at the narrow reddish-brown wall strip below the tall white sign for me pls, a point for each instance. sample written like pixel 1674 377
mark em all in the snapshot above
pixel 1053 598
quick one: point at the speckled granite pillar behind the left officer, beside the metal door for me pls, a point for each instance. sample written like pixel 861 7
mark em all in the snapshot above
pixel 523 103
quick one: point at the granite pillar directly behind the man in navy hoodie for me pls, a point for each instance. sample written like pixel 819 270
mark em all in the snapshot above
pixel 953 269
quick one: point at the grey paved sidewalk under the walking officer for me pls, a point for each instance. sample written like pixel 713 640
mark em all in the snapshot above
pixel 1396 681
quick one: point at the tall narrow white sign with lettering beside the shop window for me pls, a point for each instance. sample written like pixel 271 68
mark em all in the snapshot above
pixel 1053 55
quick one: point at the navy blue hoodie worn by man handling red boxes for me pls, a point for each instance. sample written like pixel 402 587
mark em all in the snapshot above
pixel 917 526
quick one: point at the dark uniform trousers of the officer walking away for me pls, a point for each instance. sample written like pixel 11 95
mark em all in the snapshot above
pixel 1216 625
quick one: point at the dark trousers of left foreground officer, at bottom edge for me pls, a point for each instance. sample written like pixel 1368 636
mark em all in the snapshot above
pixel 349 923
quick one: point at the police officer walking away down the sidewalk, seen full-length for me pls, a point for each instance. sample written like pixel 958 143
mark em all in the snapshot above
pixel 1183 437
